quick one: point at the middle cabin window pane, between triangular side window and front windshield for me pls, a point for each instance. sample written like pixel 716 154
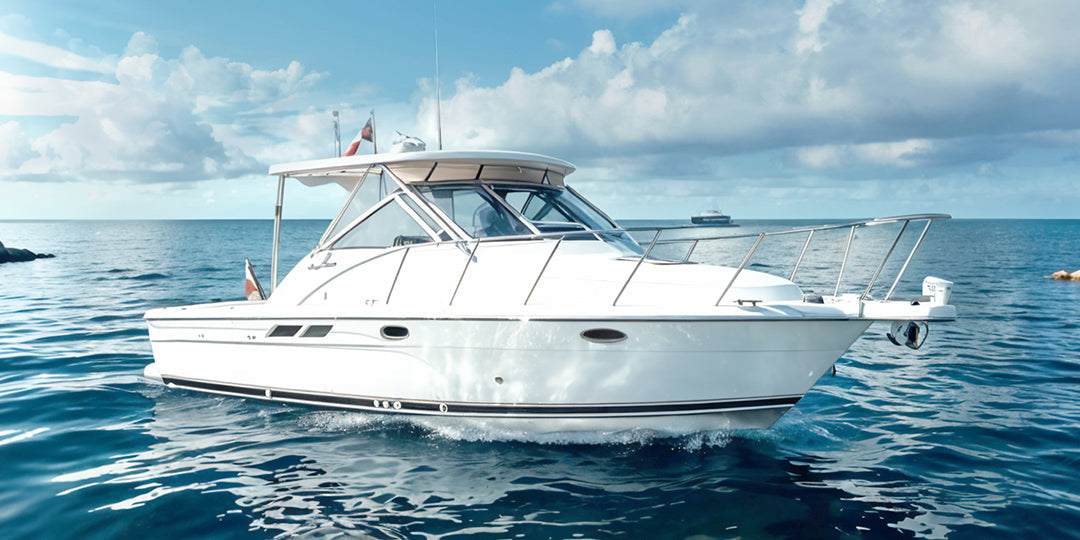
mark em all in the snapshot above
pixel 476 212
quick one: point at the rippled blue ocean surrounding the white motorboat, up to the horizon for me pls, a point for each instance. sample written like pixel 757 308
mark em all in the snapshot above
pixel 975 436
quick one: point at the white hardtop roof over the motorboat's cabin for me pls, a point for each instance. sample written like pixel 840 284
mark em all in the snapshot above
pixel 439 166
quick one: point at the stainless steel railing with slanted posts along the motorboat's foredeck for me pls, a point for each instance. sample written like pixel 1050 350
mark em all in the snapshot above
pixel 811 232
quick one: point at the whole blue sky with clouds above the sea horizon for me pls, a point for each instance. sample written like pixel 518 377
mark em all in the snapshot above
pixel 125 110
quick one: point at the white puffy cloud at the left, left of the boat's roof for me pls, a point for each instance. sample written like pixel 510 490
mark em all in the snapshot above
pixel 150 119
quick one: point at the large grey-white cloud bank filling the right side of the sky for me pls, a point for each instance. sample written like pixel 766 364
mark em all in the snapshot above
pixel 829 84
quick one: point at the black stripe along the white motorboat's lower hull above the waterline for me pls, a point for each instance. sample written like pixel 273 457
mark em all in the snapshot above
pixel 491 410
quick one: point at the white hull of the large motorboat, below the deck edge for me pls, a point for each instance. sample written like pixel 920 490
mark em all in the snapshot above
pixel 532 375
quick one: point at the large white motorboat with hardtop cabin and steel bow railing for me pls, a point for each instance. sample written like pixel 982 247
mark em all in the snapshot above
pixel 477 287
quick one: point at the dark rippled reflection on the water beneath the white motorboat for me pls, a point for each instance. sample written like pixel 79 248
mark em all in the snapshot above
pixel 296 471
